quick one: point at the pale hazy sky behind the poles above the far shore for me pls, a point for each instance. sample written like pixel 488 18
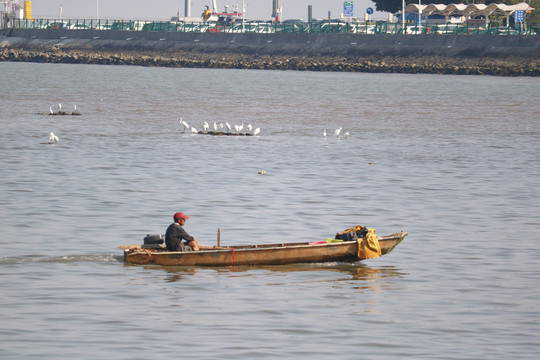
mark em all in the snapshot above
pixel 164 9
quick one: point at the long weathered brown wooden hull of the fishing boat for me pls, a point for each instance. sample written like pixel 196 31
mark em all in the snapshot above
pixel 266 254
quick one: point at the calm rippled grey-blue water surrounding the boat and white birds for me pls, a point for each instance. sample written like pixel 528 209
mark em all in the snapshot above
pixel 454 160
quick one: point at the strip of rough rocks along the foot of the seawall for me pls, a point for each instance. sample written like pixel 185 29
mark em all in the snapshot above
pixel 498 66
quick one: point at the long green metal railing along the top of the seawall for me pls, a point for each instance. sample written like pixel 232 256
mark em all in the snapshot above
pixel 266 27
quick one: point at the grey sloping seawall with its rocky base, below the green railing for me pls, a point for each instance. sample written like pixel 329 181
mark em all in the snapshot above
pixel 517 55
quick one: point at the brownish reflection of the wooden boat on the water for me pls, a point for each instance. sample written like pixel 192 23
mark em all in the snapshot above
pixel 366 275
